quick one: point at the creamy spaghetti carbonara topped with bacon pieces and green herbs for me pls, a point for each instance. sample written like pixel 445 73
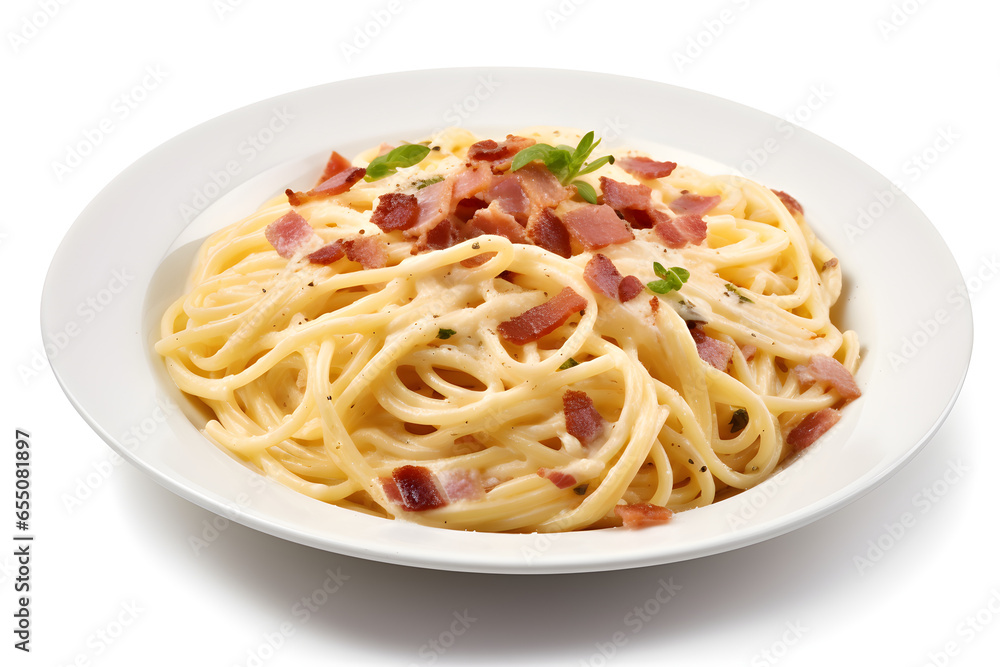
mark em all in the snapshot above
pixel 447 333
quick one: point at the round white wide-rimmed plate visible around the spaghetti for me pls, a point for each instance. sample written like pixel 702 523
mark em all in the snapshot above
pixel 128 254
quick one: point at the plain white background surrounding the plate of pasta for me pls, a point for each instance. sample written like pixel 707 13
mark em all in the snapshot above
pixel 115 580
